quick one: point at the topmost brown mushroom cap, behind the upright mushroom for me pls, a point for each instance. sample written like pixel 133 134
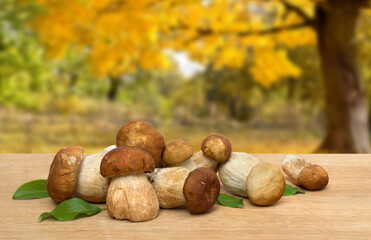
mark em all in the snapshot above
pixel 141 134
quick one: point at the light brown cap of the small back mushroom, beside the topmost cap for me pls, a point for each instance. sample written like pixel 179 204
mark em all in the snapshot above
pixel 176 151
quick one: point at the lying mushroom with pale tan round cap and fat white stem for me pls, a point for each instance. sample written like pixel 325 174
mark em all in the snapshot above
pixel 244 175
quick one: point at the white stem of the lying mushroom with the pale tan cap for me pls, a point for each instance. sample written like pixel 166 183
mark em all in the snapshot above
pixel 234 172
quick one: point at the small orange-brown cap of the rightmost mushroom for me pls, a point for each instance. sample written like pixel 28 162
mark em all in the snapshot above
pixel 313 177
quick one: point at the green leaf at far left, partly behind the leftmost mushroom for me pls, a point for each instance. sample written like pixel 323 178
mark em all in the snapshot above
pixel 33 189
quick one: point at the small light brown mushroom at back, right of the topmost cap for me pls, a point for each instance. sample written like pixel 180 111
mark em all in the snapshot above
pixel 178 153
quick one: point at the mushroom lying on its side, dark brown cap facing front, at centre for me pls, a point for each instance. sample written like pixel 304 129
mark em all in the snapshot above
pixel 197 190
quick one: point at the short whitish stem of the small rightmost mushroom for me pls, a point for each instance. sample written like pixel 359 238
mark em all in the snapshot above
pixel 293 165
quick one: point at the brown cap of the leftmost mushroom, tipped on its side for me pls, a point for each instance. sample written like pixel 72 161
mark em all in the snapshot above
pixel 63 173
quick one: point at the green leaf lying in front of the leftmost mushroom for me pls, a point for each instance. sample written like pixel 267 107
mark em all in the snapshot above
pixel 70 209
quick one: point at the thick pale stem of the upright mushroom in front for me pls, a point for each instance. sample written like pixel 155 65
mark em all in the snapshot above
pixel 132 197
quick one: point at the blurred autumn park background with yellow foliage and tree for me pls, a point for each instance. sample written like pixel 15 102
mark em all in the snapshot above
pixel 274 76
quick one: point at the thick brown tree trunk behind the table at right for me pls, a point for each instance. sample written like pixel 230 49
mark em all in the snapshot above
pixel 346 102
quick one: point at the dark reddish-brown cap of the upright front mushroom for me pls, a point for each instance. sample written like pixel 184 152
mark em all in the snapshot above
pixel 126 160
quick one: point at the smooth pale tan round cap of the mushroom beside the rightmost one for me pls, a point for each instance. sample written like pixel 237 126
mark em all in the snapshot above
pixel 265 184
